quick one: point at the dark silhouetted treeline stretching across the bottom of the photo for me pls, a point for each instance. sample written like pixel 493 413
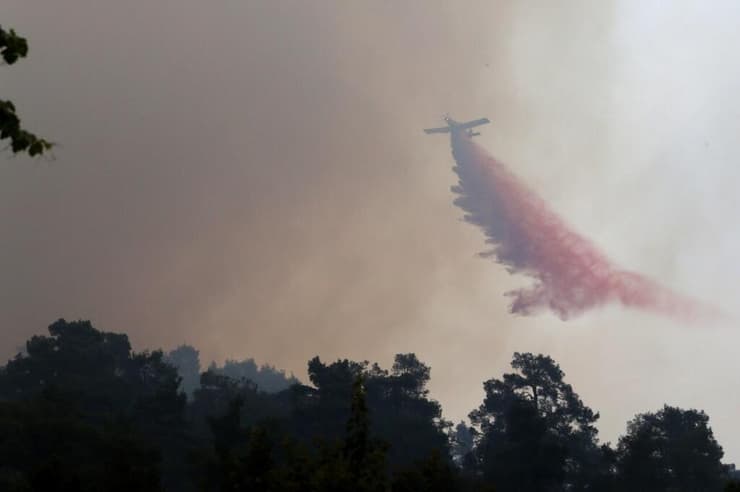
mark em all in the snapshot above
pixel 79 410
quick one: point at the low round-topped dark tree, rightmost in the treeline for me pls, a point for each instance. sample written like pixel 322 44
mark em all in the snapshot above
pixel 672 450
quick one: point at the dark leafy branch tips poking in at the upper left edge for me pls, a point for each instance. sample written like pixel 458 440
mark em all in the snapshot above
pixel 12 48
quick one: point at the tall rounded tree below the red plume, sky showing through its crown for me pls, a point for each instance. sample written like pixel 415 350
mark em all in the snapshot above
pixel 535 432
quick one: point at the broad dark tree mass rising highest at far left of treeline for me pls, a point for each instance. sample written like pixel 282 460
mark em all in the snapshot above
pixel 109 383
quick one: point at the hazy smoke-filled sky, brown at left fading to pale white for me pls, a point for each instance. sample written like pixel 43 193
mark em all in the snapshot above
pixel 251 178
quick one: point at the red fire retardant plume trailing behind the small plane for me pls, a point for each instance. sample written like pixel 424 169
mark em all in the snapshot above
pixel 570 274
